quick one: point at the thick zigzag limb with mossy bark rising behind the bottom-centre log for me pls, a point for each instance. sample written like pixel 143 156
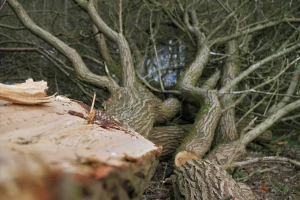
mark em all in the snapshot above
pixel 201 136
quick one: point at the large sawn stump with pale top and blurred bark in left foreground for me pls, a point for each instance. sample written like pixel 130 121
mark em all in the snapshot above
pixel 47 153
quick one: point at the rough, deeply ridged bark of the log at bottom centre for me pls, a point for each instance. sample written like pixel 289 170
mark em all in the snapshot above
pixel 202 180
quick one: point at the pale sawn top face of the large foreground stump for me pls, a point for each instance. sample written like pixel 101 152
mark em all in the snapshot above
pixel 62 139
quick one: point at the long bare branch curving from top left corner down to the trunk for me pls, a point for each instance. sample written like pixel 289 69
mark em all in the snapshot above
pixel 82 71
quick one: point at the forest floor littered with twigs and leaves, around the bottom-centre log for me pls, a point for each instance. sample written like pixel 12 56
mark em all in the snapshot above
pixel 268 180
